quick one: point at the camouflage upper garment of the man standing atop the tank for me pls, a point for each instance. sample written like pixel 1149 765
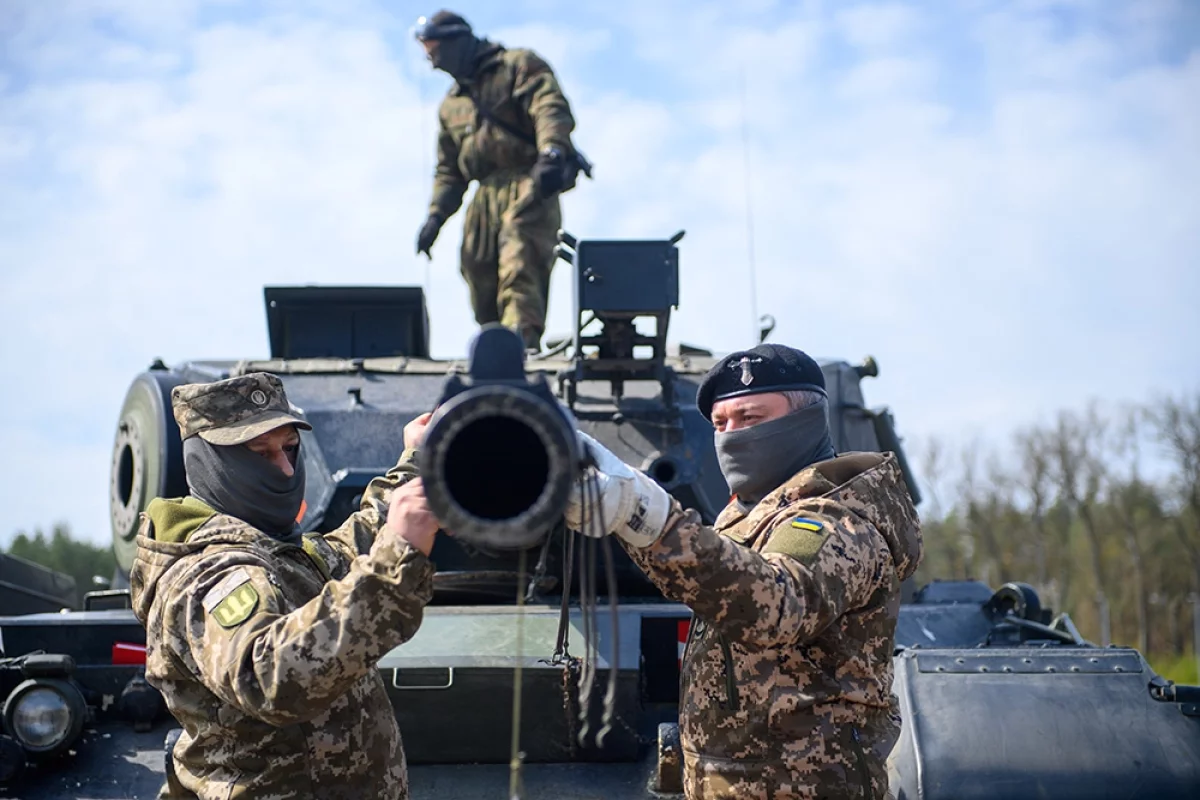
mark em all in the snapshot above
pixel 517 87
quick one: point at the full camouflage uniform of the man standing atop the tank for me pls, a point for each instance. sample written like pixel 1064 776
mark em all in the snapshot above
pixel 509 234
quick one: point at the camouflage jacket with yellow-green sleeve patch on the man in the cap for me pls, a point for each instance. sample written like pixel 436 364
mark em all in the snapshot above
pixel 266 652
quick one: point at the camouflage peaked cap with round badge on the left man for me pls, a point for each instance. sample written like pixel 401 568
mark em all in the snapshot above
pixel 233 412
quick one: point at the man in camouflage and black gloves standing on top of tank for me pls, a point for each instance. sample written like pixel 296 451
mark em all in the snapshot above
pixel 507 125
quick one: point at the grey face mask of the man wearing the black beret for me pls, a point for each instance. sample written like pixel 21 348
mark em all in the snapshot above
pixel 758 460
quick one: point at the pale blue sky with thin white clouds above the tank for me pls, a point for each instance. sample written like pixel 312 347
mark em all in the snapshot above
pixel 998 201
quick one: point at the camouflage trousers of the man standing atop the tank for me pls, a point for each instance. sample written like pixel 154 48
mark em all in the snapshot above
pixel 508 254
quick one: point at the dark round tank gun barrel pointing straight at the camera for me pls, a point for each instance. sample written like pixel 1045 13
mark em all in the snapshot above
pixel 501 454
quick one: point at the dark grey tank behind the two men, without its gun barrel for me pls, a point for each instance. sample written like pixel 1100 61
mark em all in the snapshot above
pixel 1000 697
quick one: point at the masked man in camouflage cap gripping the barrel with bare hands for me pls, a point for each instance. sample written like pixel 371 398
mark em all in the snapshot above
pixel 265 641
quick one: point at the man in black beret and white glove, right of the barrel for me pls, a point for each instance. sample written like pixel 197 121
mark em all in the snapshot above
pixel 787 683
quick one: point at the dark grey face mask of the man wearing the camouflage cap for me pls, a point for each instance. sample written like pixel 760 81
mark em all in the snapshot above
pixel 237 482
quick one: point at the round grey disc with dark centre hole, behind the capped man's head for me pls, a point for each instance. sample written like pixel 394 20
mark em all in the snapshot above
pixel 148 460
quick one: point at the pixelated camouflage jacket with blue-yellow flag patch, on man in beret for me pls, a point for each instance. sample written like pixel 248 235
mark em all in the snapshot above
pixel 787 685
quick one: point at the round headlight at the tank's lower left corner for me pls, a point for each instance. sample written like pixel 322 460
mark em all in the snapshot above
pixel 45 715
